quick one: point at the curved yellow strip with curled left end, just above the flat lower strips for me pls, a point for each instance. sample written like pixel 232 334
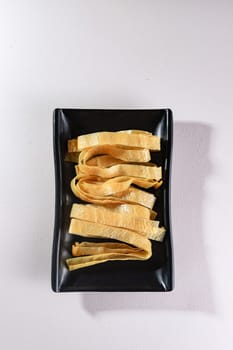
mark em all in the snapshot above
pixel 132 196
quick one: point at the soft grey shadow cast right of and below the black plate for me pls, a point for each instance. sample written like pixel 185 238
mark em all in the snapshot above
pixel 193 289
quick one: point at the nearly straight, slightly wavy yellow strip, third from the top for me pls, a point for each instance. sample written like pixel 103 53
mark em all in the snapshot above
pixel 151 172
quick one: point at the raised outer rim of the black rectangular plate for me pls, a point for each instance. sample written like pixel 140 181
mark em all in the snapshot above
pixel 56 244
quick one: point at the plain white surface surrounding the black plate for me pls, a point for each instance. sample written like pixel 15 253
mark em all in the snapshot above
pixel 118 54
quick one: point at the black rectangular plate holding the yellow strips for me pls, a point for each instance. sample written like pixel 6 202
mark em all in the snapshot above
pixel 154 274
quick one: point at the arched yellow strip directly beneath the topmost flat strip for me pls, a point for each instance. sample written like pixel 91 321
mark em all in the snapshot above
pixel 127 155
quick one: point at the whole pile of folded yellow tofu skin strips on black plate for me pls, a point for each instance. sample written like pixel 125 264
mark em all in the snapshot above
pixel 113 175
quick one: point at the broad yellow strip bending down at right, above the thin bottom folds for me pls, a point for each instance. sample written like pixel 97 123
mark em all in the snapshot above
pixel 95 230
